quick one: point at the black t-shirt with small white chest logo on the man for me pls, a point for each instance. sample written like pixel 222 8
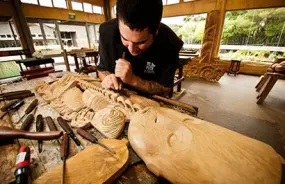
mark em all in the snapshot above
pixel 158 63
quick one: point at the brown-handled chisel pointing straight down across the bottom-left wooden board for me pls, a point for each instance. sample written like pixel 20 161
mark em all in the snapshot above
pixel 64 154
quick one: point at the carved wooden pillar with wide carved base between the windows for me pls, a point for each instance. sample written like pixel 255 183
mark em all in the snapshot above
pixel 206 66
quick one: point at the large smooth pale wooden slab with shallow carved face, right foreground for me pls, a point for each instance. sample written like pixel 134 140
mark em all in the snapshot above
pixel 196 151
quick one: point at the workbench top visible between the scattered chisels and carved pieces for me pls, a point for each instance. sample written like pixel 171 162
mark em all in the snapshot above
pixel 50 156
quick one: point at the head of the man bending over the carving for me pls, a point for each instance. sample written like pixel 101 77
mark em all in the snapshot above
pixel 138 23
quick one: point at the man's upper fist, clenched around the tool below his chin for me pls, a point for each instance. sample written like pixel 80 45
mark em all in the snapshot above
pixel 124 71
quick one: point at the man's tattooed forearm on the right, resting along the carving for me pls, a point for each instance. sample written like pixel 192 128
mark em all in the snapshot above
pixel 150 87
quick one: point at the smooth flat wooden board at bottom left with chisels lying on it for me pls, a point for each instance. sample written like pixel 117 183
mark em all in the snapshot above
pixel 93 165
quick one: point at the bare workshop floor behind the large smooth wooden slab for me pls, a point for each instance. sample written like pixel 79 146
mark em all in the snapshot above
pixel 231 103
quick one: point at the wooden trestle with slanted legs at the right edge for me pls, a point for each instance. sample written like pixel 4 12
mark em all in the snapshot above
pixel 268 80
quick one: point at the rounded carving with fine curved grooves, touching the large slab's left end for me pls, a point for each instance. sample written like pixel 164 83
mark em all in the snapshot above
pixel 109 121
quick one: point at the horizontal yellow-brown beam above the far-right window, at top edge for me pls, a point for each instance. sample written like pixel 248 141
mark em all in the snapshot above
pixel 253 4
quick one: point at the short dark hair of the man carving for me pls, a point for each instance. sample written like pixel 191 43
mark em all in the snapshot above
pixel 139 14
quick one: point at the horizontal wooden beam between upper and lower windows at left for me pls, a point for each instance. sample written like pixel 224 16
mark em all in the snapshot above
pixel 35 11
